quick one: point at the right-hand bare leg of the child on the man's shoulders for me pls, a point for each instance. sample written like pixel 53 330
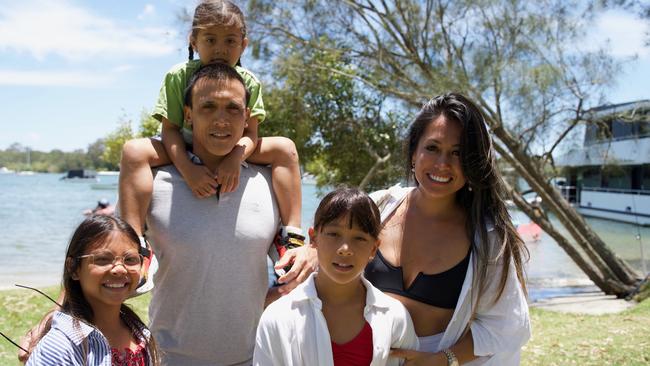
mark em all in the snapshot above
pixel 281 154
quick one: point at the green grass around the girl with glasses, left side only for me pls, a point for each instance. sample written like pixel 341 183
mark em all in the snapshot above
pixel 21 309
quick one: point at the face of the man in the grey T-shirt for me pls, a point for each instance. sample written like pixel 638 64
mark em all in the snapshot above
pixel 218 117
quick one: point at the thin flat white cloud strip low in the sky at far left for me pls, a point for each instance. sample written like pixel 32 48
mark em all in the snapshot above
pixel 52 78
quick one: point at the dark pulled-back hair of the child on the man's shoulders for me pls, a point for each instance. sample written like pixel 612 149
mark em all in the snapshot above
pixel 216 12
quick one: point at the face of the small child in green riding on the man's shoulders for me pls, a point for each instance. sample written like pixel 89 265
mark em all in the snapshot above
pixel 218 43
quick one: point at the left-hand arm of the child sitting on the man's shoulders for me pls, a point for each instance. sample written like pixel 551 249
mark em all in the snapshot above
pixel 199 178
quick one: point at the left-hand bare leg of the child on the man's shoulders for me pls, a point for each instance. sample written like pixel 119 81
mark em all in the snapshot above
pixel 136 179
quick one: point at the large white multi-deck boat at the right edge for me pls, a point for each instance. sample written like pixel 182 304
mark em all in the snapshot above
pixel 609 175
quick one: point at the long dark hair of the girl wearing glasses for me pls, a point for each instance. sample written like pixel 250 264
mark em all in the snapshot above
pixel 94 231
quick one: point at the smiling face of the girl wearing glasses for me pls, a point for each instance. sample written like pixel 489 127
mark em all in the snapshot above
pixel 108 286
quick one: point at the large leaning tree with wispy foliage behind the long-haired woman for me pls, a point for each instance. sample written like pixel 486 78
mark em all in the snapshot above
pixel 521 61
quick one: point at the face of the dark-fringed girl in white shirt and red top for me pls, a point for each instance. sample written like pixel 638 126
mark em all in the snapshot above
pixel 343 251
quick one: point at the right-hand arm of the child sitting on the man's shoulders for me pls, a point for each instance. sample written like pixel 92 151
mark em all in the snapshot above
pixel 229 168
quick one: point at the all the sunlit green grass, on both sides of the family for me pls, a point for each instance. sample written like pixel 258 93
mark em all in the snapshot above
pixel 558 339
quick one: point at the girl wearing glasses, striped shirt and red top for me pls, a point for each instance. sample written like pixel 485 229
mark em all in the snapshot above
pixel 93 325
